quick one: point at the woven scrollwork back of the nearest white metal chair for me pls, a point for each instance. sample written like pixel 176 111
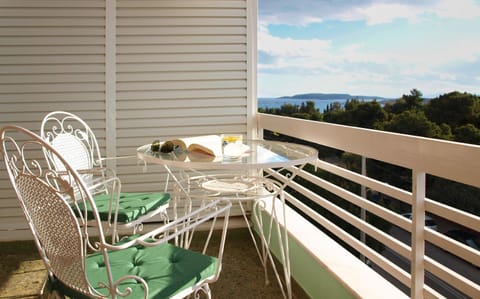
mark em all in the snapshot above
pixel 56 224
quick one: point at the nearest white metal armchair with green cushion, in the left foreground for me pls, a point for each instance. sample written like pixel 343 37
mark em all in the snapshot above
pixel 142 266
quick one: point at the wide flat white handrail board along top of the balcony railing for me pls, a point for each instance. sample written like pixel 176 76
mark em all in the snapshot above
pixel 412 152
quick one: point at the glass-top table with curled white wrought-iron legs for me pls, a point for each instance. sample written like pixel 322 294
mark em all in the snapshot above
pixel 252 177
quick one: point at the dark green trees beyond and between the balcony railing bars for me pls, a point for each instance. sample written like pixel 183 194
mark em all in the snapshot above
pixel 454 116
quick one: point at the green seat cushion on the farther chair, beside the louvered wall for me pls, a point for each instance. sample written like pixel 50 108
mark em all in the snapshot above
pixel 131 205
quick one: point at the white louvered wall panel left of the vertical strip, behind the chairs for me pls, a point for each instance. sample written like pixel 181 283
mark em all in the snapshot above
pixel 51 58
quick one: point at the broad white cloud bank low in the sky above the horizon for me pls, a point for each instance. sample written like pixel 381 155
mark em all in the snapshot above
pixel 316 65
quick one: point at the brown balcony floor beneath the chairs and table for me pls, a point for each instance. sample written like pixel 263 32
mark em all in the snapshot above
pixel 22 272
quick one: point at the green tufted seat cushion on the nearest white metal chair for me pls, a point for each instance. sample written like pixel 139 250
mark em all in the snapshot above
pixel 167 270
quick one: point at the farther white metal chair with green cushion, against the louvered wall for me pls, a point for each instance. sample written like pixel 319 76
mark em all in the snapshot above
pixel 76 142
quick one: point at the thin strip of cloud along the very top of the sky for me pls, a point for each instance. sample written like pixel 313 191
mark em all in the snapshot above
pixel 302 12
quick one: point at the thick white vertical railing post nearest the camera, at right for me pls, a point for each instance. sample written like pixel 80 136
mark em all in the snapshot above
pixel 417 267
